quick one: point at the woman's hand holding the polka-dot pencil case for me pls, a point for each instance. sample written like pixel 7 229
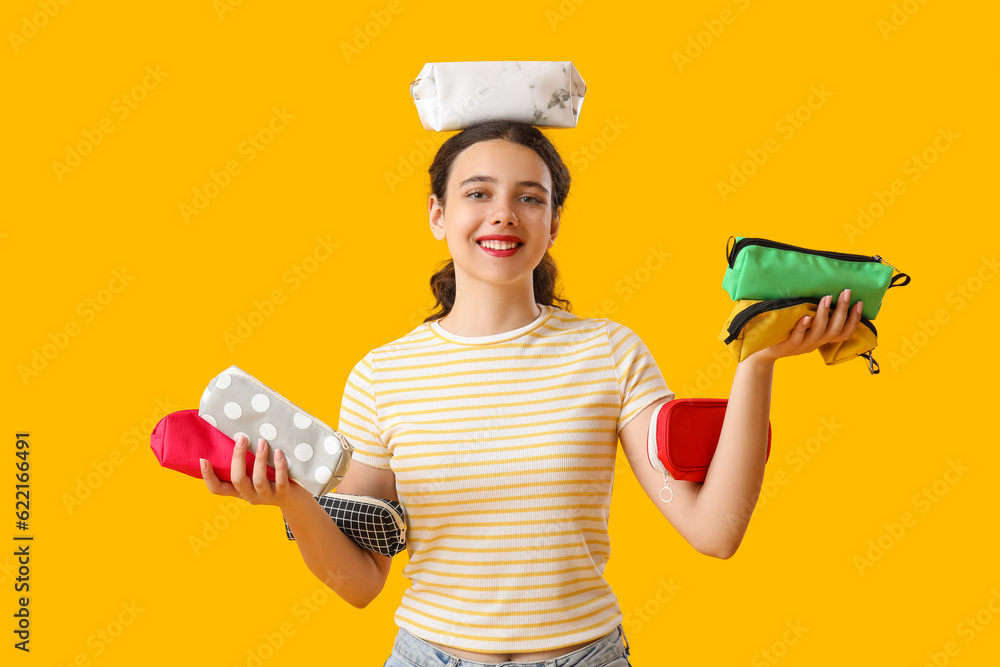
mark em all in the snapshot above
pixel 256 490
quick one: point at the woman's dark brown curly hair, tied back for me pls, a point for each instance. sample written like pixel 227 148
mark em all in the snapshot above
pixel 545 275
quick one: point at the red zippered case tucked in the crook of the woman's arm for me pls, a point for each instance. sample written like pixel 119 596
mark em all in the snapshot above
pixel 683 436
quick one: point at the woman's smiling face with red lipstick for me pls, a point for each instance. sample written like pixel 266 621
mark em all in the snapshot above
pixel 499 188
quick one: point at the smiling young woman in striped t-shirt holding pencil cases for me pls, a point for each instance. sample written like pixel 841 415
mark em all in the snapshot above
pixel 495 424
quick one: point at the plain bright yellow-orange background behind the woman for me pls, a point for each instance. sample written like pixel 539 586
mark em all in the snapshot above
pixel 649 183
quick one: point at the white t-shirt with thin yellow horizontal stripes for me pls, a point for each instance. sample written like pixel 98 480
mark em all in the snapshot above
pixel 503 448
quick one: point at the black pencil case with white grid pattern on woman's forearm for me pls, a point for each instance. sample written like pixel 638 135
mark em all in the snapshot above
pixel 375 524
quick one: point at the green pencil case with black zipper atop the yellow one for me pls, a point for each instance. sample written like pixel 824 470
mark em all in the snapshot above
pixel 763 269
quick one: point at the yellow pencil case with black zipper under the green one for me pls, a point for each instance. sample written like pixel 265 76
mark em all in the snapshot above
pixel 756 324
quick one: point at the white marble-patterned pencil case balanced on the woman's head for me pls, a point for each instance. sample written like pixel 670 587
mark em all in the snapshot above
pixel 456 95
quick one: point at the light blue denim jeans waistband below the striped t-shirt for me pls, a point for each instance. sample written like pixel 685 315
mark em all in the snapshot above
pixel 599 652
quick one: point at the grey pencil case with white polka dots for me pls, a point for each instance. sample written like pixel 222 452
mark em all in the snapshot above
pixel 235 402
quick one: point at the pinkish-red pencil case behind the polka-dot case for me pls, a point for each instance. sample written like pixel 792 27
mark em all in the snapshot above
pixel 183 437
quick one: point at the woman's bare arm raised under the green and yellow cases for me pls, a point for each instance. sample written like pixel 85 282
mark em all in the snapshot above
pixel 713 515
